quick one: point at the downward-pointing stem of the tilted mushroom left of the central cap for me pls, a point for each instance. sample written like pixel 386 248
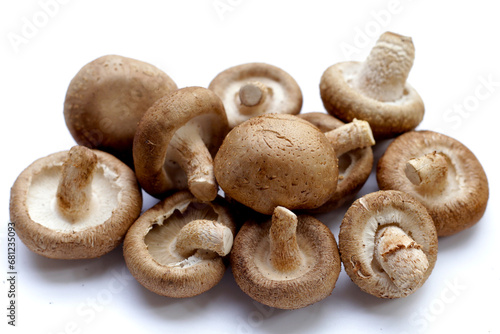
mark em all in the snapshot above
pixel 192 155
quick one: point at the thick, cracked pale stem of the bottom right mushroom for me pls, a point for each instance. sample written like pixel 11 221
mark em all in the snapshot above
pixel 401 258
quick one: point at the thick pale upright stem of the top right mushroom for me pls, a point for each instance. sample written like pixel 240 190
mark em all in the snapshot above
pixel 383 74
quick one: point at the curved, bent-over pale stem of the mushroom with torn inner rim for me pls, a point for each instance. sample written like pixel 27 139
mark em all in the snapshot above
pixel 204 234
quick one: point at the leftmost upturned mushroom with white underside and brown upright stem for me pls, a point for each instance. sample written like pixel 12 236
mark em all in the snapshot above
pixel 75 204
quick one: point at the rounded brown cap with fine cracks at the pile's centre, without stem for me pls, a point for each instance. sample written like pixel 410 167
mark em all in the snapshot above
pixel 277 160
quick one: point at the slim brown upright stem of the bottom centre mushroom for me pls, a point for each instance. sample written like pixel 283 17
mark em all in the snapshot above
pixel 285 255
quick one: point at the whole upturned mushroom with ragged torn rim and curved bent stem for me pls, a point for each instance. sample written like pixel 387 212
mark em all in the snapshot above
pixel 176 248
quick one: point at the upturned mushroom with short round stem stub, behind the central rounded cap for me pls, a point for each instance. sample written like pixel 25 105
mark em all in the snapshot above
pixel 255 89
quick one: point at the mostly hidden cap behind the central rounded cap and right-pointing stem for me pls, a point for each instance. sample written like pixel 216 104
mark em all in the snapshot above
pixel 354 166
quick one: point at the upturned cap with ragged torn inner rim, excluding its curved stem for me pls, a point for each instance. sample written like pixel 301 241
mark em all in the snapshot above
pixel 149 252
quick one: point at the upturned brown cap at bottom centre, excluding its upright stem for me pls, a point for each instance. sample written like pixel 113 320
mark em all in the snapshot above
pixel 312 282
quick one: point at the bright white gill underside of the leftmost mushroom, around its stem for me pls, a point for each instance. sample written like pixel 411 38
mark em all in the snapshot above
pixel 41 200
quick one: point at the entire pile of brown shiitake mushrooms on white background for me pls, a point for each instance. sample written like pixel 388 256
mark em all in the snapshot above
pixel 244 137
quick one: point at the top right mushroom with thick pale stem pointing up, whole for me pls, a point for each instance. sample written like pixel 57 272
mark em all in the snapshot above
pixel 376 90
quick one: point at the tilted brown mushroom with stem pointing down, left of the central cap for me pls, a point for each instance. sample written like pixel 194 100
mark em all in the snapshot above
pixel 176 140
